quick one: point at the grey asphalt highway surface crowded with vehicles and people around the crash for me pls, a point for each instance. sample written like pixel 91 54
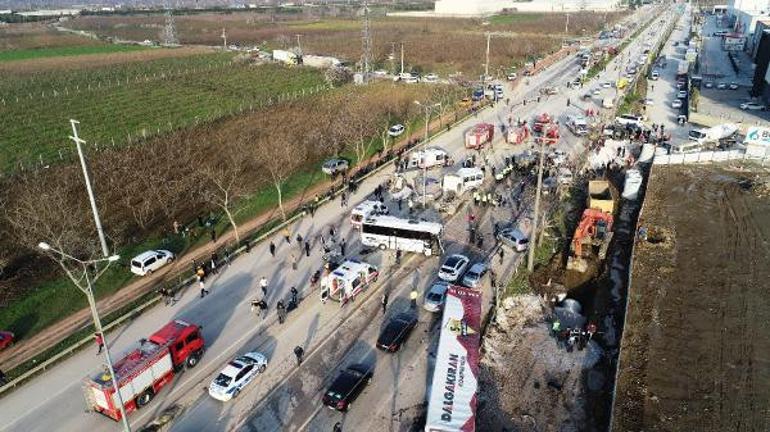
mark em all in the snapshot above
pixel 329 333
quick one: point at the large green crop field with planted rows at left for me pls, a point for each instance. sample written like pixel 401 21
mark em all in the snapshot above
pixel 118 103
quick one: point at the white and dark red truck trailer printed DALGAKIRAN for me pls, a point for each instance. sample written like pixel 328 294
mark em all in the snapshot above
pixel 452 396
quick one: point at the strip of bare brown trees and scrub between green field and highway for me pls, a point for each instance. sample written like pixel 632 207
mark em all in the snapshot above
pixel 142 189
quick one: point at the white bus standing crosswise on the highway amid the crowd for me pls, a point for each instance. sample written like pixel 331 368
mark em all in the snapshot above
pixel 390 232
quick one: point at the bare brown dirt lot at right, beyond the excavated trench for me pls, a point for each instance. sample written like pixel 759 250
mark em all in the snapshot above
pixel 695 349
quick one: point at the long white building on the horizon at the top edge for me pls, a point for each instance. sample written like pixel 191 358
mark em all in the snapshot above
pixel 488 7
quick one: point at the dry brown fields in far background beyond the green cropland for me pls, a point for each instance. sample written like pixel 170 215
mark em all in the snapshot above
pixel 438 45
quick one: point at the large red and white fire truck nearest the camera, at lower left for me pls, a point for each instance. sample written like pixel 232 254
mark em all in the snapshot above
pixel 145 369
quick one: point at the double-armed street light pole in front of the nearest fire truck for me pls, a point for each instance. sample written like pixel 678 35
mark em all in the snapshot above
pixel 84 284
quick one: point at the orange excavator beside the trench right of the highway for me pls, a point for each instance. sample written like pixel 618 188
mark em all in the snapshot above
pixel 594 229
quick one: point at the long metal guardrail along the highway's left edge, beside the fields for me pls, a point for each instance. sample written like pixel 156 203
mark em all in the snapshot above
pixel 133 313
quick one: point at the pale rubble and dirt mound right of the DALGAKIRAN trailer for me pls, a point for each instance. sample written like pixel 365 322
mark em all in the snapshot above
pixel 528 382
